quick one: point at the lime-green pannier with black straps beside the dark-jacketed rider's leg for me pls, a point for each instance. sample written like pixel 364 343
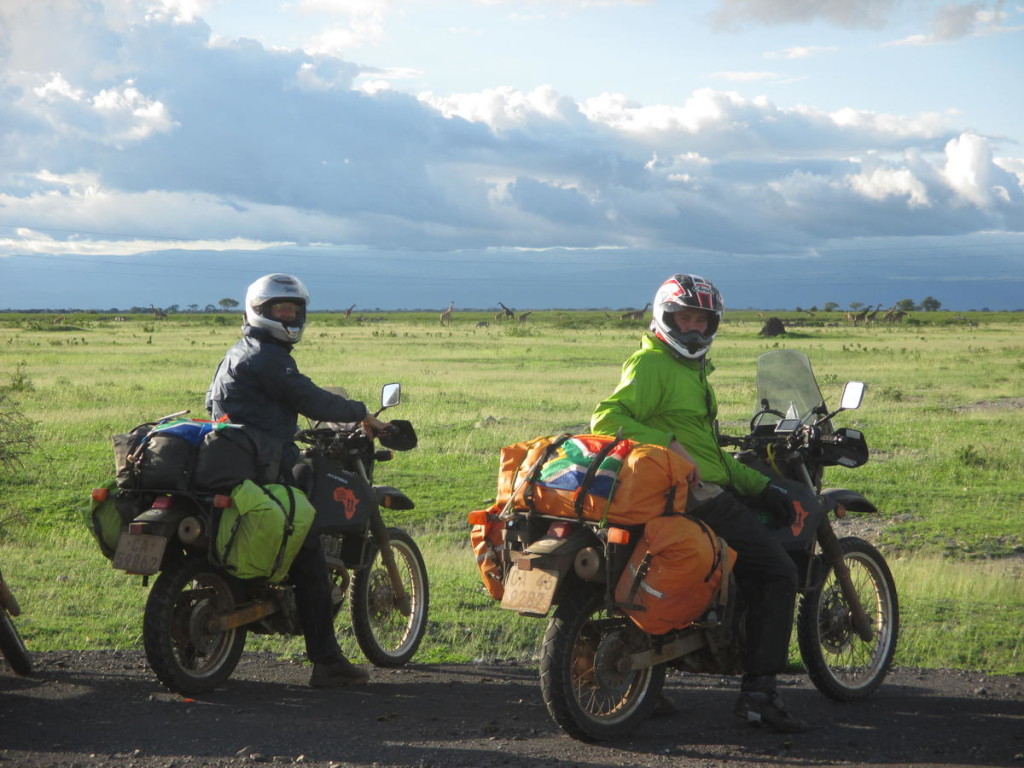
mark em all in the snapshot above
pixel 263 531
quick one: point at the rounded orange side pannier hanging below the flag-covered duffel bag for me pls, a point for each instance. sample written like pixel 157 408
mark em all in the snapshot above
pixel 675 574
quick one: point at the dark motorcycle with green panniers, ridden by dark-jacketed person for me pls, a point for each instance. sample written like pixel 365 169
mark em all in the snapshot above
pixel 198 615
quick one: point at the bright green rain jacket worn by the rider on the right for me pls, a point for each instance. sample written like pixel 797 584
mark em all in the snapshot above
pixel 662 397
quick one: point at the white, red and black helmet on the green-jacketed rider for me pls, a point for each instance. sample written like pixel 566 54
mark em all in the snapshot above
pixel 687 292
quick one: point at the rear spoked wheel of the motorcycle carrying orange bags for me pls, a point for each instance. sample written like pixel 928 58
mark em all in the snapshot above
pixel 588 688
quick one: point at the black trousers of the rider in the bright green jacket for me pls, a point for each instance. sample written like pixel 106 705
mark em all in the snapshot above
pixel 767 579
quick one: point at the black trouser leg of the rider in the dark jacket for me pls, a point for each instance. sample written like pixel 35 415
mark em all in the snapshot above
pixel 313 600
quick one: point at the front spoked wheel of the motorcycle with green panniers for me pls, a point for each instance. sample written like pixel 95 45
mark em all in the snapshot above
pixel 389 633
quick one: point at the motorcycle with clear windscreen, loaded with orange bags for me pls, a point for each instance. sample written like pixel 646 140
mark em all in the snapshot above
pixel 602 676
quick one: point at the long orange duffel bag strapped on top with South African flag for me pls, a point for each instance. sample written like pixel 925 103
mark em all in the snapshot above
pixel 593 478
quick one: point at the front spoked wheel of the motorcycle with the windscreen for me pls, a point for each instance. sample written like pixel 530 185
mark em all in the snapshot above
pixel 840 664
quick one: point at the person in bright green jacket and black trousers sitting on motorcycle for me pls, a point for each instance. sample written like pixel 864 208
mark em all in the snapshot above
pixel 665 399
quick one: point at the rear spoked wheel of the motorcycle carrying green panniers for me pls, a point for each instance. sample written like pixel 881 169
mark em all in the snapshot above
pixel 186 649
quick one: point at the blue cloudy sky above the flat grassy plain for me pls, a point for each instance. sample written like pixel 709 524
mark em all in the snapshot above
pixel 408 154
